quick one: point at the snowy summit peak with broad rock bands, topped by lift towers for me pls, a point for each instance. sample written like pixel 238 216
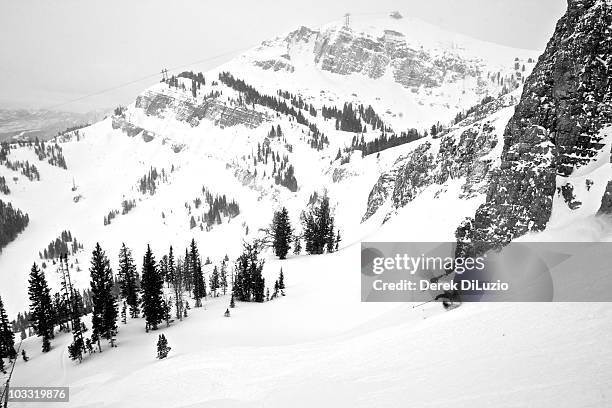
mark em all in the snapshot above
pixel 414 73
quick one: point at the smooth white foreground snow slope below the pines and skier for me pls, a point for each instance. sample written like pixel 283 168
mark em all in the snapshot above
pixel 319 346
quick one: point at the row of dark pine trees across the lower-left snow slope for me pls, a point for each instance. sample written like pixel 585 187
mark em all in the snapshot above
pixel 161 286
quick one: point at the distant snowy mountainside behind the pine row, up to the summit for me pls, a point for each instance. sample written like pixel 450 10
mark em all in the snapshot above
pixel 210 140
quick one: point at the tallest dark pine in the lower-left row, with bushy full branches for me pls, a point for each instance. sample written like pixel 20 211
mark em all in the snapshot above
pixel 104 314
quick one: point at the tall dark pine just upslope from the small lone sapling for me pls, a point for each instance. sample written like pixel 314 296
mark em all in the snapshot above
pixel 152 291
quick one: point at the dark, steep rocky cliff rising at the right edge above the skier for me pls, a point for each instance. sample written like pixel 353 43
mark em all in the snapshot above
pixel 555 130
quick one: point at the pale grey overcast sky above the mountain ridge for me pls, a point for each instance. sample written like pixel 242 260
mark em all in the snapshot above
pixel 53 51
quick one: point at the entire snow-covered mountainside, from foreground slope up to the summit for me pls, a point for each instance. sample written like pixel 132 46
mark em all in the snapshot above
pixel 319 345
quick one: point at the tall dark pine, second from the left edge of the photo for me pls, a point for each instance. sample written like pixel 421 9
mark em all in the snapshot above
pixel 41 307
